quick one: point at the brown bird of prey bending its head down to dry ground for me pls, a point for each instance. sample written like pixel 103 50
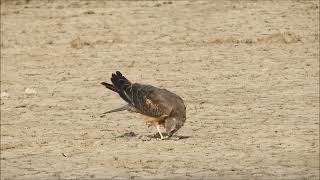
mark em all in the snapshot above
pixel 158 106
